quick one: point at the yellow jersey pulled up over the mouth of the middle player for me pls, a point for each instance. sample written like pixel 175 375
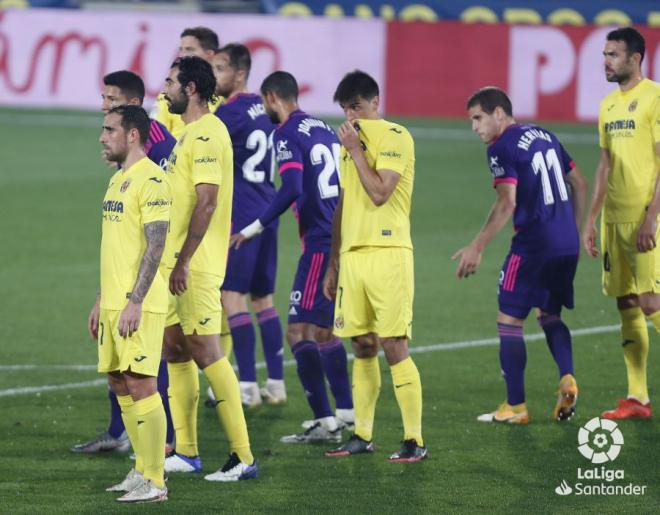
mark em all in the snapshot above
pixel 388 146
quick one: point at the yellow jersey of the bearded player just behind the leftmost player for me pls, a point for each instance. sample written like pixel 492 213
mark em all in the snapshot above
pixel 203 155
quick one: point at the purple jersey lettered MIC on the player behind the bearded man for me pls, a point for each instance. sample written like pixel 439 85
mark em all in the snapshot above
pixel 250 129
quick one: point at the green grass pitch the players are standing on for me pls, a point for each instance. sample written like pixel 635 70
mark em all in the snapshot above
pixel 51 185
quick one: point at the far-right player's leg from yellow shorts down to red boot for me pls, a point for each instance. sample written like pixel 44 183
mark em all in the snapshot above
pixel 626 272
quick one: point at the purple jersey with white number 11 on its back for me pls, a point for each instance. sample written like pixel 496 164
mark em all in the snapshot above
pixel 532 158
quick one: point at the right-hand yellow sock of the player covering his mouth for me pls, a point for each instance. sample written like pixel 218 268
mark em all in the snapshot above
pixel 408 392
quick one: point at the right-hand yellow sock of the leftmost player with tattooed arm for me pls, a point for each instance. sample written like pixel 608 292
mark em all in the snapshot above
pixel 151 428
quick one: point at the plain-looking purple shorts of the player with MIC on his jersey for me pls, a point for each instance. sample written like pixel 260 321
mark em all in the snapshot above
pixel 252 268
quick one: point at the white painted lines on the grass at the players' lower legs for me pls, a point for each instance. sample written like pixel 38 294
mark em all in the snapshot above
pixel 438 347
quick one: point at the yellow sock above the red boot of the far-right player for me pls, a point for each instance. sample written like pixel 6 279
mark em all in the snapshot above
pixel 635 341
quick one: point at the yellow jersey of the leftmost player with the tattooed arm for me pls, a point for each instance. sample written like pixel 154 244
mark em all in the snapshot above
pixel 135 197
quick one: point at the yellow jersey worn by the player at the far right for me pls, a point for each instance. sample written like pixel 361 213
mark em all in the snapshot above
pixel 629 128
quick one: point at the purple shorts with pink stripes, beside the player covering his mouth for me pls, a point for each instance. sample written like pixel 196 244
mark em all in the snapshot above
pixel 307 304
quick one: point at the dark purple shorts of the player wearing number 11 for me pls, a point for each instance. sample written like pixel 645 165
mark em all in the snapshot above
pixel 528 282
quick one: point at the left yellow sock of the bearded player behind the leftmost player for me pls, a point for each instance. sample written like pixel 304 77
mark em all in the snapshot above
pixel 184 396
